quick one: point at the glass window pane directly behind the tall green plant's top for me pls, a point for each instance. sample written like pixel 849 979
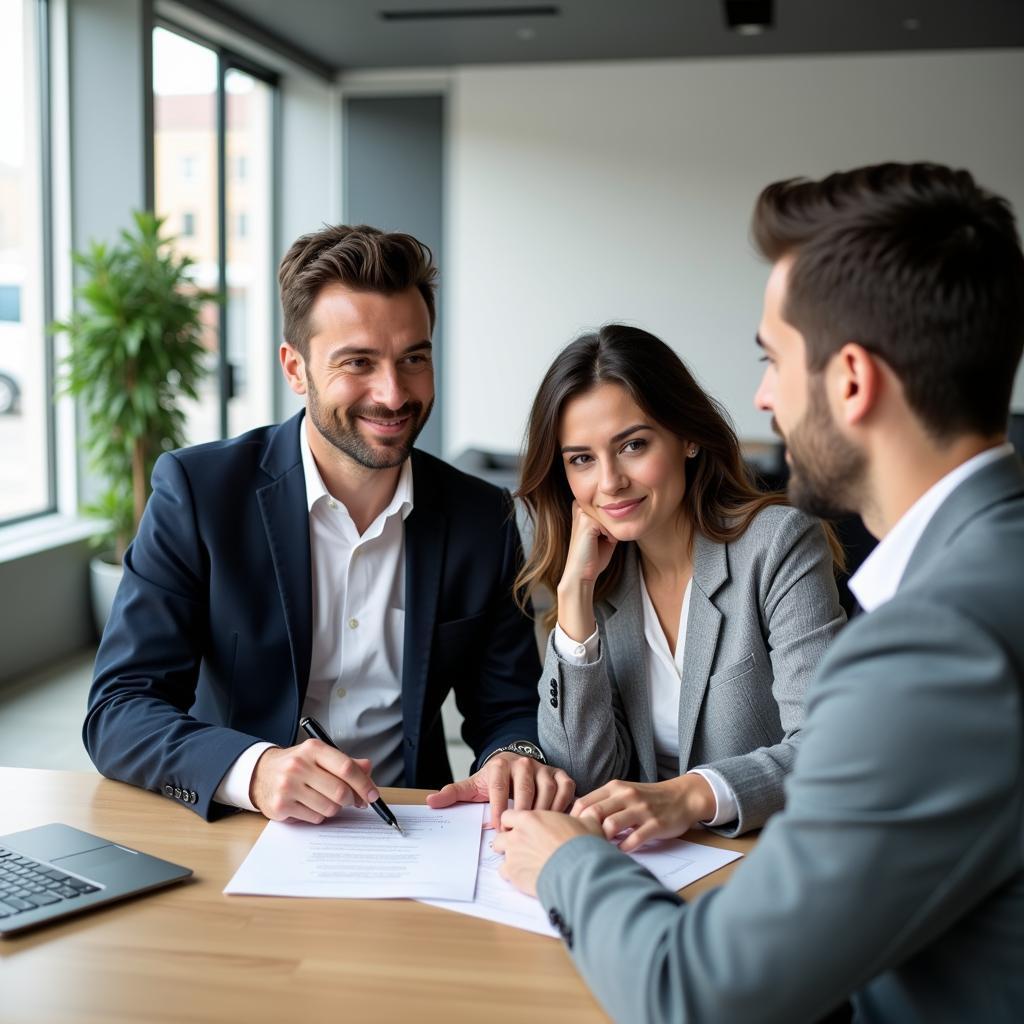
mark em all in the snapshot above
pixel 185 86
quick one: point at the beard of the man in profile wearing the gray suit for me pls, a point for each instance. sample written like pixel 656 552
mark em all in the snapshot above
pixel 827 473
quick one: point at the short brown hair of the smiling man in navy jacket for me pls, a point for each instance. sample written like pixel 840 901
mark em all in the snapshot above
pixel 363 259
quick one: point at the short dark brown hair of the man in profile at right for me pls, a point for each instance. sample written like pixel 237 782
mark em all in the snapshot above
pixel 921 267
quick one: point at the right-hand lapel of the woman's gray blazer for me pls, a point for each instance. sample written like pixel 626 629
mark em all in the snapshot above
pixel 711 570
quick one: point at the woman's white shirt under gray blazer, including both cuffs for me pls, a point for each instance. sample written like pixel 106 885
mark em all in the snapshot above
pixel 665 672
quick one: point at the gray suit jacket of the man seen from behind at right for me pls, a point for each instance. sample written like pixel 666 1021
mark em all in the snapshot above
pixel 897 872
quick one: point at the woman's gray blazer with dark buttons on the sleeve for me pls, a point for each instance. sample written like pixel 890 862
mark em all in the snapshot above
pixel 763 610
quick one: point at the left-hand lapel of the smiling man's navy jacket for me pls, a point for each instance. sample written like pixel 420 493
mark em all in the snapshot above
pixel 286 521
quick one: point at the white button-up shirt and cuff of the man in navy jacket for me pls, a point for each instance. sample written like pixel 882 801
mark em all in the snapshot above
pixel 359 617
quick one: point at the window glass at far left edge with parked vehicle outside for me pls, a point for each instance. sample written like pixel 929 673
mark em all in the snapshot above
pixel 26 379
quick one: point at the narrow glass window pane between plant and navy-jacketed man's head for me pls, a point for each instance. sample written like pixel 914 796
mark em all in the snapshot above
pixel 250 261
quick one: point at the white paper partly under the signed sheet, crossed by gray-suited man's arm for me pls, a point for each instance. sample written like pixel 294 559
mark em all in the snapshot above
pixel 674 863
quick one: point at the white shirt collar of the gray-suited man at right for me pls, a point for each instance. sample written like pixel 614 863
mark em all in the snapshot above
pixel 878 579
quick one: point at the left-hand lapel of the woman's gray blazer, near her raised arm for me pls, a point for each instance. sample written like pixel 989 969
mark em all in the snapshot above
pixel 628 658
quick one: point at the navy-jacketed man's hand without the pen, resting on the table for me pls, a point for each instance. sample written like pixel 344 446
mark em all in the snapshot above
pixel 528 782
